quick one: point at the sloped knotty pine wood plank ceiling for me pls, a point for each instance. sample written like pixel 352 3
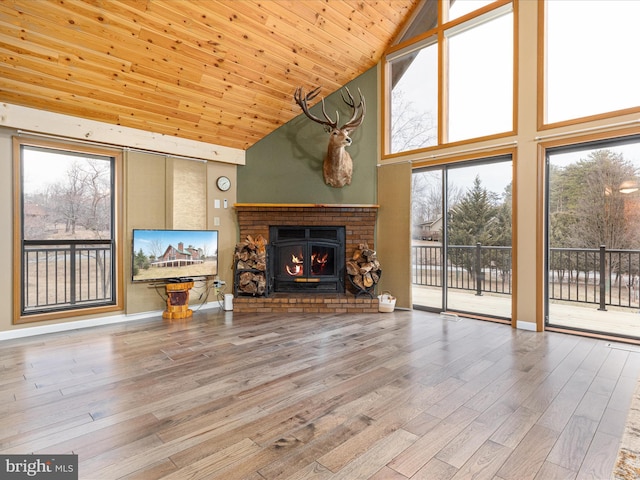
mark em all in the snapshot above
pixel 217 71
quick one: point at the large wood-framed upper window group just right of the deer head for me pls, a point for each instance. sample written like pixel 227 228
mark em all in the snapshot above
pixel 454 82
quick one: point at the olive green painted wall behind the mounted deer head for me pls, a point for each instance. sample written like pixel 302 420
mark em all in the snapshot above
pixel 286 166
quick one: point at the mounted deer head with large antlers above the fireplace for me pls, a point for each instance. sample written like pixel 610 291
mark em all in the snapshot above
pixel 337 167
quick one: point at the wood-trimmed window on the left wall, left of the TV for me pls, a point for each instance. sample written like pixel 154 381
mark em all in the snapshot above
pixel 66 230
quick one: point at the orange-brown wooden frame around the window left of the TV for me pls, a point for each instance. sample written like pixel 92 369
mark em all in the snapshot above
pixel 116 236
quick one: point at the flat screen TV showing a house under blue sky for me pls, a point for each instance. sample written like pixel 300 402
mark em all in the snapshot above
pixel 174 255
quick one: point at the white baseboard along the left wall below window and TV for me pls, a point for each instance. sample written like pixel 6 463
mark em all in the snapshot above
pixel 92 322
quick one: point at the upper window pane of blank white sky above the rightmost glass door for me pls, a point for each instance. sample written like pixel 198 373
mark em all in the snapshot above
pixel 590 67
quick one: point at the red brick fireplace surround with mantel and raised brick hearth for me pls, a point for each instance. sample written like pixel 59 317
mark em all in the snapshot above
pixel 359 222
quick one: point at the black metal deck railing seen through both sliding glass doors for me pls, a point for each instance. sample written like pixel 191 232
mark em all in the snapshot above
pixel 597 276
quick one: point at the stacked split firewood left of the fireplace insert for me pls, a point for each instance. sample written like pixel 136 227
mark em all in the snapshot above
pixel 251 266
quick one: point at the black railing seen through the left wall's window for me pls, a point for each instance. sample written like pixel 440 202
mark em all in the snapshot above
pixel 66 274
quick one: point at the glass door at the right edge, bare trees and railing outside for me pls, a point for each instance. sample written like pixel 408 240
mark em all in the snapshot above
pixel 593 237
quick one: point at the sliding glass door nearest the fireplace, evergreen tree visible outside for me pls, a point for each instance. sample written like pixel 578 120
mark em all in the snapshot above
pixel 462 259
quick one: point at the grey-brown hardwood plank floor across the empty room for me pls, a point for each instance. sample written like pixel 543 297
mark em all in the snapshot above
pixel 371 396
